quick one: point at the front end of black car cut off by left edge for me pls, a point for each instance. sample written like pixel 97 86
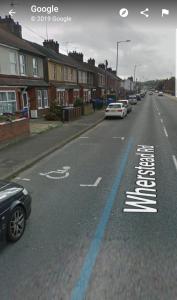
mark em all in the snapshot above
pixel 15 208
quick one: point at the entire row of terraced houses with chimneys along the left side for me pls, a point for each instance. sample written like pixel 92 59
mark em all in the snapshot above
pixel 33 75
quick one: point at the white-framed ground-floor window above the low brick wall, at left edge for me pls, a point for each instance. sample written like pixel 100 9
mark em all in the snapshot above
pixel 7 102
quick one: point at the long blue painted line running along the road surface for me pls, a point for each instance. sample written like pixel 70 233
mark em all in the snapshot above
pixel 80 288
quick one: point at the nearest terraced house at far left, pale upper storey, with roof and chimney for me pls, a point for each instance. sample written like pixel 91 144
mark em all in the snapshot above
pixel 22 81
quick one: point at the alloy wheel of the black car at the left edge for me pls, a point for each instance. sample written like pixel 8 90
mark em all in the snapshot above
pixel 16 224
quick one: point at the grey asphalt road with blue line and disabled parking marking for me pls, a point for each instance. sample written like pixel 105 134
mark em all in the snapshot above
pixel 83 240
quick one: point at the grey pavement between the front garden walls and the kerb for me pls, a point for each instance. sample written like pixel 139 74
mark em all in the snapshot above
pixel 23 154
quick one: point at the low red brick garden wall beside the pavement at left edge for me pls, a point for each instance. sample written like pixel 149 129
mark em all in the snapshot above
pixel 15 129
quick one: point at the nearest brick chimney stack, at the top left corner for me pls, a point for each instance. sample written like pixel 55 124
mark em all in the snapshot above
pixel 9 24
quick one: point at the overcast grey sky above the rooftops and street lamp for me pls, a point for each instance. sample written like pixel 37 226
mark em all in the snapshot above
pixel 95 29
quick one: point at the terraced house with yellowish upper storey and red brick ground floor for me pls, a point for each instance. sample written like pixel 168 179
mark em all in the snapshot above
pixel 60 73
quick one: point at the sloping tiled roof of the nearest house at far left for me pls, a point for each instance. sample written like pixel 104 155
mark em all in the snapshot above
pixel 12 40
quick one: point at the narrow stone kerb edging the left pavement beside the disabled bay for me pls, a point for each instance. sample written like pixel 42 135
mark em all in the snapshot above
pixel 58 146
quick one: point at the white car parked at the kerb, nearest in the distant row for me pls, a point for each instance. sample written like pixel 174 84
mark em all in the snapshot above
pixel 116 110
